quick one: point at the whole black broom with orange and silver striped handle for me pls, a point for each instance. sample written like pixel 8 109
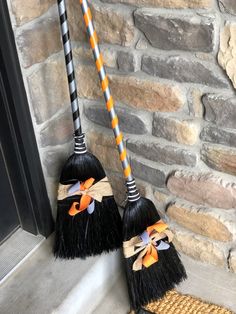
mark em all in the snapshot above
pixel 152 263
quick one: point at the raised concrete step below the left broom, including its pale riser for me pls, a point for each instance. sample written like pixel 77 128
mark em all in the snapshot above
pixel 43 285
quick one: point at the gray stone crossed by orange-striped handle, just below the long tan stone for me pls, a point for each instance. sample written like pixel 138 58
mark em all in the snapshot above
pixel 129 120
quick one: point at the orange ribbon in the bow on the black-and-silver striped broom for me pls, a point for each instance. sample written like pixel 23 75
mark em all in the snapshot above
pixel 85 199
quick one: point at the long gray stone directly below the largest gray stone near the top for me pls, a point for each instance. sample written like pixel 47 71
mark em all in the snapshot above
pixel 182 70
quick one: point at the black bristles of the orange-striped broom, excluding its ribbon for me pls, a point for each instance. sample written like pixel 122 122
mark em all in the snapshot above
pixel 149 284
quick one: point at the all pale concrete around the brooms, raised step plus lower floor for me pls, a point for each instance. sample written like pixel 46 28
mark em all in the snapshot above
pixel 43 285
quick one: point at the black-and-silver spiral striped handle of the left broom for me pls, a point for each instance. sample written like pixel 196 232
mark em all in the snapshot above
pixel 80 147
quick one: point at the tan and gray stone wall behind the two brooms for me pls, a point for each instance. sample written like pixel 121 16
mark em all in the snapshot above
pixel 172 67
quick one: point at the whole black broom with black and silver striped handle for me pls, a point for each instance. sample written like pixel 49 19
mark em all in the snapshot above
pixel 88 222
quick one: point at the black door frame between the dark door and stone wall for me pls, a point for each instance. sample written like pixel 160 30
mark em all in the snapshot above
pixel 39 217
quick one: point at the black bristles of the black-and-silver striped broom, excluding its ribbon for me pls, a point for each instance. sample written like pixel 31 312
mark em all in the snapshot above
pixel 86 234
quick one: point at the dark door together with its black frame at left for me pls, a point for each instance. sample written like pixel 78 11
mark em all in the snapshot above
pixel 23 197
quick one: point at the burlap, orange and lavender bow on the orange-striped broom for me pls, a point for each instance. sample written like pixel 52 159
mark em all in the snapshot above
pixel 146 245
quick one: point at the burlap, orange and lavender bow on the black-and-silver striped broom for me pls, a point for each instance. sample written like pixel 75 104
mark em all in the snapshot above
pixel 88 191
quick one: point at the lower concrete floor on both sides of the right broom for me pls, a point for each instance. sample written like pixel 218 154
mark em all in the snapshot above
pixel 204 281
